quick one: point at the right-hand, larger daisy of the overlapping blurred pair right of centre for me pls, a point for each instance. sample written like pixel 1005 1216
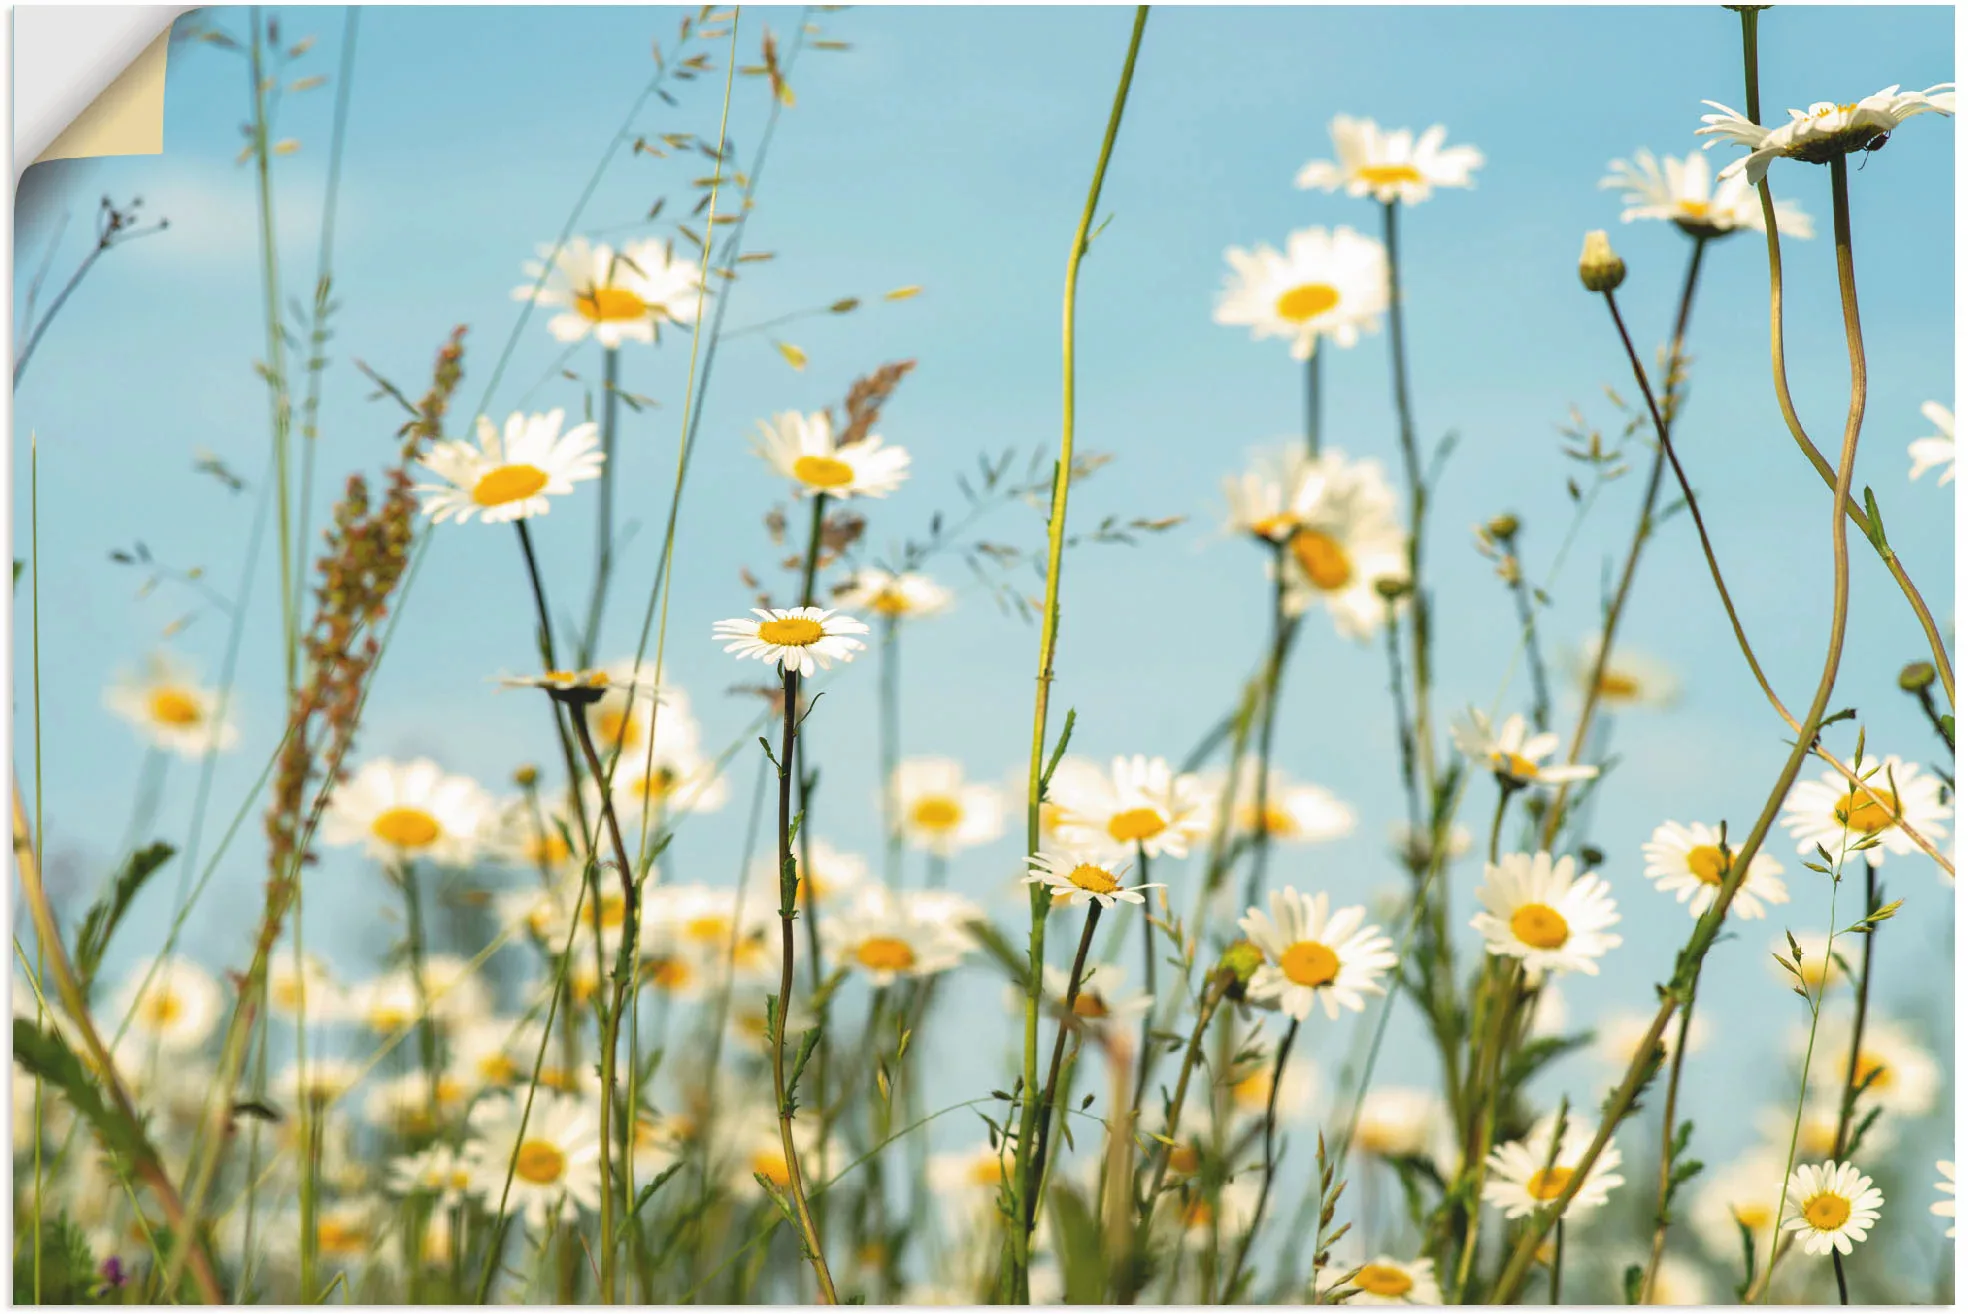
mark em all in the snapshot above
pixel 1345 544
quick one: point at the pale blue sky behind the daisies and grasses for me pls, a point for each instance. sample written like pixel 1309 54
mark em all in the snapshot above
pixel 952 149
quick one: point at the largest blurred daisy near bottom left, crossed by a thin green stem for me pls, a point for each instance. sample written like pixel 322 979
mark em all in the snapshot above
pixel 554 1162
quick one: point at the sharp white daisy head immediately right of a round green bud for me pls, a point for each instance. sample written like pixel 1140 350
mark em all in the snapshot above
pixel 1312 953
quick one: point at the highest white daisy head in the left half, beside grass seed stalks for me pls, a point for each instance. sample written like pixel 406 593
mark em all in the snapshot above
pixel 613 296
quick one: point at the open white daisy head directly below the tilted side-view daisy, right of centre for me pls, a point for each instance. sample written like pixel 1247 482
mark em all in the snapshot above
pixel 1546 914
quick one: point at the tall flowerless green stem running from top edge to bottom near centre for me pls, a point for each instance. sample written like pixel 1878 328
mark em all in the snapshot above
pixel 1015 1285
